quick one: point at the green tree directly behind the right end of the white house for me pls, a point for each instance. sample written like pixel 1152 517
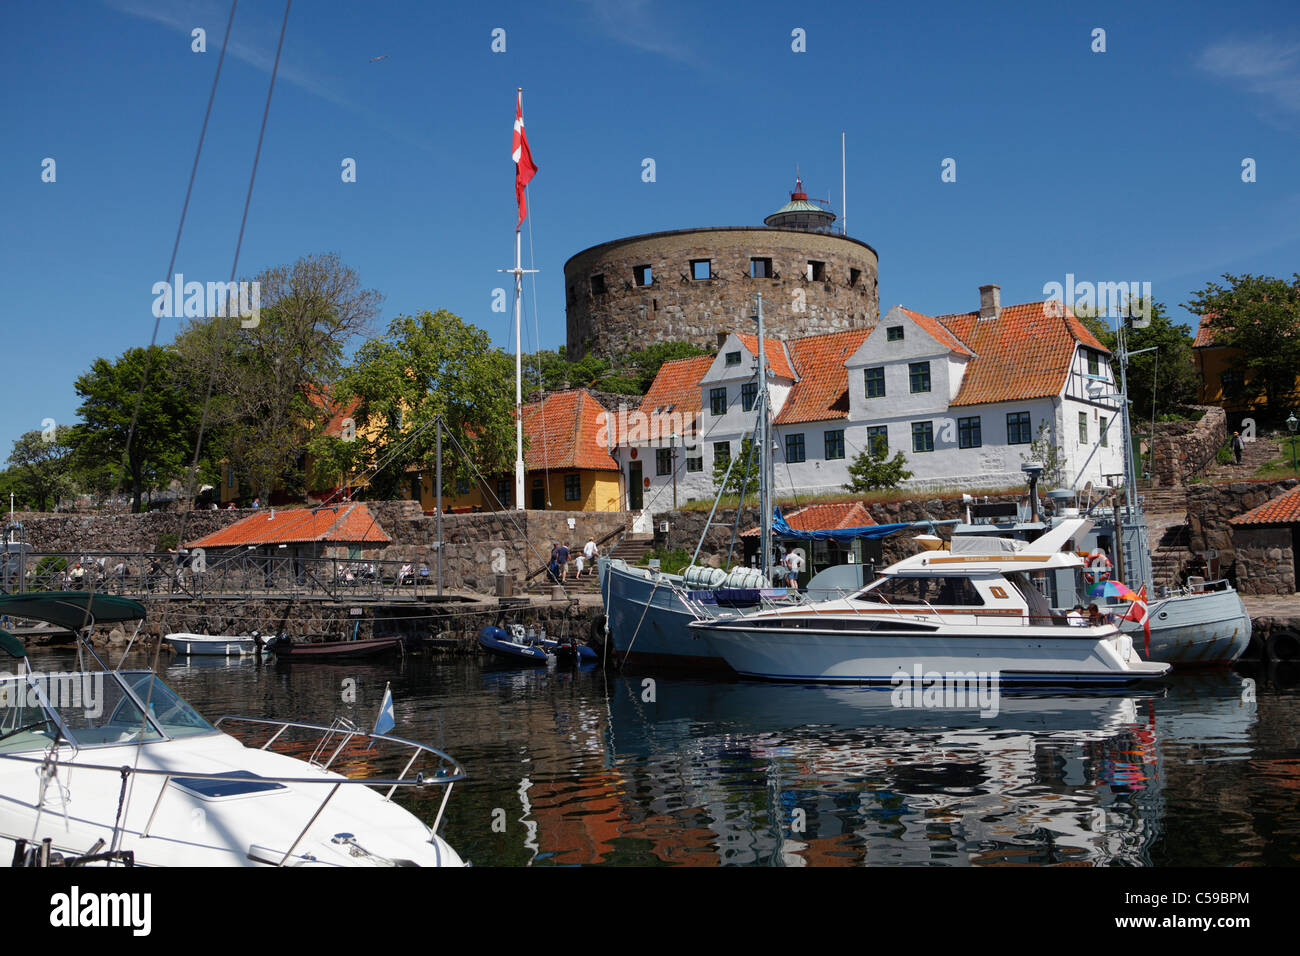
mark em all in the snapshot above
pixel 1167 377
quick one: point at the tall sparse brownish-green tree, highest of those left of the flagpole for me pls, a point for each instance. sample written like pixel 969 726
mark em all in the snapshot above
pixel 271 383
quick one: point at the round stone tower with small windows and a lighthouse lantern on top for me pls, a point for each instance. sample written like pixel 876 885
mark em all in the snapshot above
pixel 696 285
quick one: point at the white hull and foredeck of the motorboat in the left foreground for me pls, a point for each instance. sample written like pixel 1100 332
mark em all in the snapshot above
pixel 192 830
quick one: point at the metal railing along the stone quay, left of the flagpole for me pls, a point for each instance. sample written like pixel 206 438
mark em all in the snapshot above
pixel 214 574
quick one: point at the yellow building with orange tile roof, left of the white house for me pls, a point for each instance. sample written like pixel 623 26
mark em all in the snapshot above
pixel 567 465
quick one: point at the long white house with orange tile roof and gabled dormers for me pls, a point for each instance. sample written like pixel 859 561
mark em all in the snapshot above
pixel 961 396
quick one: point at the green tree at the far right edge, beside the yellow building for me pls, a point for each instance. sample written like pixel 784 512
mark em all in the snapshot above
pixel 1260 317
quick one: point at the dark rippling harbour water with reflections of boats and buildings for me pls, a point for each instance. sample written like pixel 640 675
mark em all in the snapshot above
pixel 578 768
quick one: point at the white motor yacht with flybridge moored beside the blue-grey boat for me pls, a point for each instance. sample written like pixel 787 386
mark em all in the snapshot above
pixel 969 611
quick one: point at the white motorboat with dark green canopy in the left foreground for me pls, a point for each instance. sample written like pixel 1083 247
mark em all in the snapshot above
pixel 111 767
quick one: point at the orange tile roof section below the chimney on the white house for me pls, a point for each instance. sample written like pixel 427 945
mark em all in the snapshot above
pixel 1025 353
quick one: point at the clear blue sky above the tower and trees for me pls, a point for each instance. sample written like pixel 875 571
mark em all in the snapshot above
pixel 1117 166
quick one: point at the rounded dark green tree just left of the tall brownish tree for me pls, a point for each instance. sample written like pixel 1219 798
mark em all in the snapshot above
pixel 109 455
